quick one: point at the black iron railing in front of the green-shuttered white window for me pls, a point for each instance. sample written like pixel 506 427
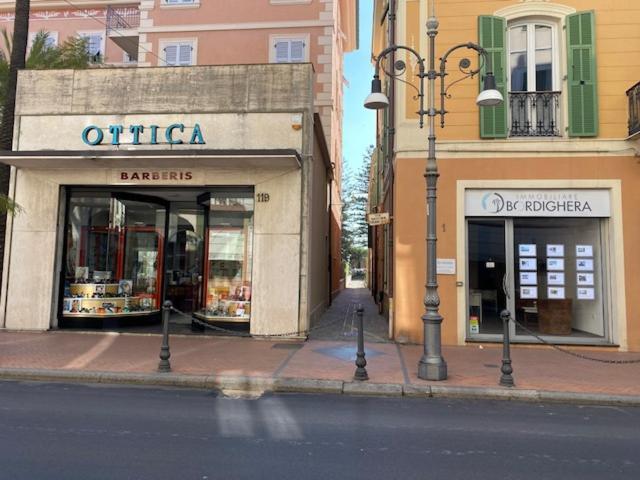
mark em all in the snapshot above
pixel 534 114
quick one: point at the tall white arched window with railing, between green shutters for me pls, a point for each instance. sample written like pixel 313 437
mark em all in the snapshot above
pixel 534 99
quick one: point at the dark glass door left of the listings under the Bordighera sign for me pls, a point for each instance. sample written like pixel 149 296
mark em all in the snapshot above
pixel 486 275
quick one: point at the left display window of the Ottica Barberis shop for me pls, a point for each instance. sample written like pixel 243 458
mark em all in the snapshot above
pixel 113 256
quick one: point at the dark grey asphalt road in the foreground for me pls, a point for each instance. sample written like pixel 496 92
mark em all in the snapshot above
pixel 56 431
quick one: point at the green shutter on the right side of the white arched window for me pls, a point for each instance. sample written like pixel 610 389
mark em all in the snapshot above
pixel 581 66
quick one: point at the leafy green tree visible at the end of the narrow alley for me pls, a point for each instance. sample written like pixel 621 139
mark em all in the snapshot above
pixel 354 211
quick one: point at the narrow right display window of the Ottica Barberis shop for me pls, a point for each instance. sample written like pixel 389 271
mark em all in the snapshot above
pixel 228 256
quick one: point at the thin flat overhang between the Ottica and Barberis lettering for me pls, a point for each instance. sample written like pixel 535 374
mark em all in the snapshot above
pixel 271 159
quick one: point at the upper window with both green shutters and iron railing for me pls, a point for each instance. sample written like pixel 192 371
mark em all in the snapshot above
pixel 530 72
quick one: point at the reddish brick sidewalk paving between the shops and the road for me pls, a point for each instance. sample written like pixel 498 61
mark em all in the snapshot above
pixel 323 357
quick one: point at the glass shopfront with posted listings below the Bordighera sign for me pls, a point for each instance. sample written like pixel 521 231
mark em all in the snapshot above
pixel 548 272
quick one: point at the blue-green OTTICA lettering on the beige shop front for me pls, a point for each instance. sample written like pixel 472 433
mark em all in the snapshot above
pixel 174 134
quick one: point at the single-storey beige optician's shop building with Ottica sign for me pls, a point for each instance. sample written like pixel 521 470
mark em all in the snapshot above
pixel 206 186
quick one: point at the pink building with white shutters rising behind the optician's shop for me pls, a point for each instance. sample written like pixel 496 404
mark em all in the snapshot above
pixel 149 33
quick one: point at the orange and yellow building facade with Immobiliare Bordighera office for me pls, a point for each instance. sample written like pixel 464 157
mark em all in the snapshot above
pixel 536 198
